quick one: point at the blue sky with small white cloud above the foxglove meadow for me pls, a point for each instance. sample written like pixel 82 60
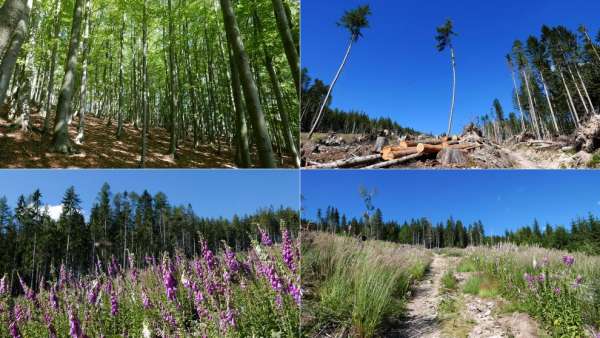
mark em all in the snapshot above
pixel 212 193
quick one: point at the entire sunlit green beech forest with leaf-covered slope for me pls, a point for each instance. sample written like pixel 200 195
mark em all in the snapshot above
pixel 152 83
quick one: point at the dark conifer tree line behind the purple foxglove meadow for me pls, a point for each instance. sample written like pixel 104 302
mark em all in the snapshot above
pixel 35 245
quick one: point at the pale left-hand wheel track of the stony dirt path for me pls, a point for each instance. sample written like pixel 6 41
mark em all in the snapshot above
pixel 422 308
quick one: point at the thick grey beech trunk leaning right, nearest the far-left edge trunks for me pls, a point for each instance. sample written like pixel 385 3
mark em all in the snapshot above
pixel 61 142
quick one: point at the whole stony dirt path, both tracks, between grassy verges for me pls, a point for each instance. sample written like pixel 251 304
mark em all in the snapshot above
pixel 471 315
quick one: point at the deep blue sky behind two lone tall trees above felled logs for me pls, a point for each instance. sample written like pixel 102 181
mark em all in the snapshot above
pixel 395 69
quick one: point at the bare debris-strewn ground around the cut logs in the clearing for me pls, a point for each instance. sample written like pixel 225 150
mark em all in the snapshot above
pixel 326 148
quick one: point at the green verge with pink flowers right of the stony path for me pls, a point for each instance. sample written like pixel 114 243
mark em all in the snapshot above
pixel 561 290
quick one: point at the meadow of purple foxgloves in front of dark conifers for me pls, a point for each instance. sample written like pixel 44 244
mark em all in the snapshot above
pixel 255 293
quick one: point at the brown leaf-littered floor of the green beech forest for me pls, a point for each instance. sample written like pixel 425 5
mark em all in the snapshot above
pixel 101 148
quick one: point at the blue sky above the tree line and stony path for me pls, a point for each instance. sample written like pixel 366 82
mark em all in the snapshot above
pixel 500 199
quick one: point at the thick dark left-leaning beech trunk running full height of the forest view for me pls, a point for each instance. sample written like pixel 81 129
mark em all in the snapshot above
pixel 261 135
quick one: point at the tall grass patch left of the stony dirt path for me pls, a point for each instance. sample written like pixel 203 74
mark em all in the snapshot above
pixel 353 286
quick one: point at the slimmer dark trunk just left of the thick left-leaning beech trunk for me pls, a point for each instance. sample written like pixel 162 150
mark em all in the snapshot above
pixel 240 116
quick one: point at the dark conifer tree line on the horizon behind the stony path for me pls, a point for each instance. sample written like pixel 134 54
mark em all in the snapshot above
pixel 583 234
